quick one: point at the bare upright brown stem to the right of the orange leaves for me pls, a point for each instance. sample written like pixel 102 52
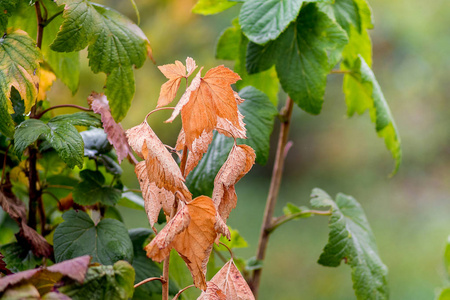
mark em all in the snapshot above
pixel 277 173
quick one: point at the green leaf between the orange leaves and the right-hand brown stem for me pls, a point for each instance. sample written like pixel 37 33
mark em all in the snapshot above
pixel 259 115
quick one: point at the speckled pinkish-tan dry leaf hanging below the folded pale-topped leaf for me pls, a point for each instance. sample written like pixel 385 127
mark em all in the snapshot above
pixel 154 197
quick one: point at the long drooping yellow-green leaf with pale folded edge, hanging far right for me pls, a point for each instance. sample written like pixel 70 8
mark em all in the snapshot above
pixel 362 92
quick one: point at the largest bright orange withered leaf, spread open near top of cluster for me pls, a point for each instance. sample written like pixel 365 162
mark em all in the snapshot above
pixel 207 100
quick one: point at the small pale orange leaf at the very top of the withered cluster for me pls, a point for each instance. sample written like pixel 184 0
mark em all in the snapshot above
pixel 174 72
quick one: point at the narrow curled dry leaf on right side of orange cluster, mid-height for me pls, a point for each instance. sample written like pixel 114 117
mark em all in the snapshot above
pixel 239 162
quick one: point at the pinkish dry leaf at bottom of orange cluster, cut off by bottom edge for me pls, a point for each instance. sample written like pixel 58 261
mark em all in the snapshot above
pixel 230 281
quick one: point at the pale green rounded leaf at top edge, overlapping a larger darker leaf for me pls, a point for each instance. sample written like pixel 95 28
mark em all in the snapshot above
pixel 265 21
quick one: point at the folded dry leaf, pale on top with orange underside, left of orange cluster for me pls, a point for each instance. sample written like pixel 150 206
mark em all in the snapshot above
pixel 160 165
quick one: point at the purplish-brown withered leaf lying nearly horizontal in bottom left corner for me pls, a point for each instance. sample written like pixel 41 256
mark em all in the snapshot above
pixel 74 268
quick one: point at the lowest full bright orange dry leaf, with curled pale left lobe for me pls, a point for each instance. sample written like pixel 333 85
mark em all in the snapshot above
pixel 192 240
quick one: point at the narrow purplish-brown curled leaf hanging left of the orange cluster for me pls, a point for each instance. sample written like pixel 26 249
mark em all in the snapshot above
pixel 114 131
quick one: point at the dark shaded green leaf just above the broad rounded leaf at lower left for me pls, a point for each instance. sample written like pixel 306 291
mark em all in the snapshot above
pixel 92 190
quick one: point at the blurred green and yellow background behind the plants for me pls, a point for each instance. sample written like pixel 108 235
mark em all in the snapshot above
pixel 409 213
